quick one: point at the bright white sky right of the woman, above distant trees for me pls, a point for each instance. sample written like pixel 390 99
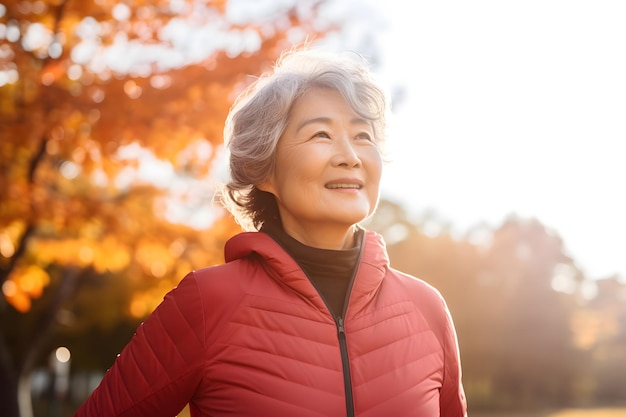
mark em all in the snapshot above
pixel 514 107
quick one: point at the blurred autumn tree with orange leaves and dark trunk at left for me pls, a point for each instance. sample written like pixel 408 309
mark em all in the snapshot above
pixel 111 122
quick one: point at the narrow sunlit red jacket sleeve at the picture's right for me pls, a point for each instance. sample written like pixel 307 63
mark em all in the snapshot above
pixel 452 401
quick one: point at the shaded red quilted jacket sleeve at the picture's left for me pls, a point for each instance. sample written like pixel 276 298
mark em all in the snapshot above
pixel 157 373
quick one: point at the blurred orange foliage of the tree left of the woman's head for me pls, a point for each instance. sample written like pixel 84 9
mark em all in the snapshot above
pixel 74 141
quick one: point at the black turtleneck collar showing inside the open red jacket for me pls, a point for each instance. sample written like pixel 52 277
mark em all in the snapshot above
pixel 329 270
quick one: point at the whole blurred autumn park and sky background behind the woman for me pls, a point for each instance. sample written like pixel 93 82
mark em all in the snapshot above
pixel 503 190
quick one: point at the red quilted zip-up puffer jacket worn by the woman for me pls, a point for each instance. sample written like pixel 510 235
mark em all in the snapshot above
pixel 252 337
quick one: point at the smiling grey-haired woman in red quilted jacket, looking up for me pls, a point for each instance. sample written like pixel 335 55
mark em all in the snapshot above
pixel 306 317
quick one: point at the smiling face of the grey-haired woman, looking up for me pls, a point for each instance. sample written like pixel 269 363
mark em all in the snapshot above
pixel 328 170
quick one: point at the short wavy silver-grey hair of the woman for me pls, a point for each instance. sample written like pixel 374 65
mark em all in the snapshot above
pixel 260 114
